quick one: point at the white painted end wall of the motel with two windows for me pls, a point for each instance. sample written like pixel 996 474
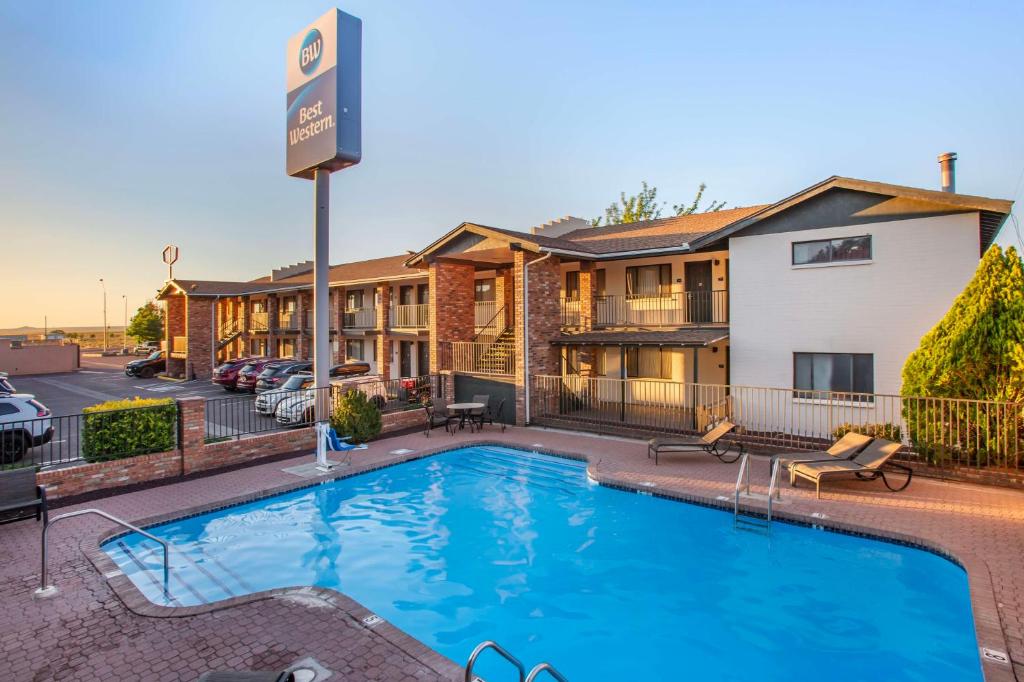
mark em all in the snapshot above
pixel 919 267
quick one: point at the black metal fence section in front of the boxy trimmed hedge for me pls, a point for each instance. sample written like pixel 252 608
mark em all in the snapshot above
pixel 94 437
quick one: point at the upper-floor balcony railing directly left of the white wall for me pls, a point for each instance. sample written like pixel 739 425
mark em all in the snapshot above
pixel 676 310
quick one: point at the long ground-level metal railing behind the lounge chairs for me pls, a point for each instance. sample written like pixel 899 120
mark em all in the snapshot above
pixel 942 433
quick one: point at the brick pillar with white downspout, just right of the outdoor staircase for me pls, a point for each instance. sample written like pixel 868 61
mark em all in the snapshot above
pixel 545 323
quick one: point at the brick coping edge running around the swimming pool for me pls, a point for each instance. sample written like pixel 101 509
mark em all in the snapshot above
pixel 989 630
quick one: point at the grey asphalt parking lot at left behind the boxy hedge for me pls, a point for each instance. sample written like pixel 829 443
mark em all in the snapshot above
pixel 103 379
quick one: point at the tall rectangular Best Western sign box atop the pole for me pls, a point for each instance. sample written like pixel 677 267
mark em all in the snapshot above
pixel 324 96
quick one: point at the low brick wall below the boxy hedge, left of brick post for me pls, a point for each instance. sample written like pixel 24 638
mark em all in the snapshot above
pixel 116 474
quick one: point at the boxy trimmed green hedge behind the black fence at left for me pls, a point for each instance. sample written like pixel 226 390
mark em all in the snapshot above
pixel 125 429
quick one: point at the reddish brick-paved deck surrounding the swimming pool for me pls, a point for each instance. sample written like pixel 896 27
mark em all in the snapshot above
pixel 100 628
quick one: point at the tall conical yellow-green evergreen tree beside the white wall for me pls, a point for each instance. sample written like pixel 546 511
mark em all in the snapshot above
pixel 976 354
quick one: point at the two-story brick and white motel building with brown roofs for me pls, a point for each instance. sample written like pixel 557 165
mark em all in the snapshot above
pixel 829 289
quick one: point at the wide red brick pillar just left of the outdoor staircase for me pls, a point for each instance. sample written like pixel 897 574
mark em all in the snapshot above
pixel 452 307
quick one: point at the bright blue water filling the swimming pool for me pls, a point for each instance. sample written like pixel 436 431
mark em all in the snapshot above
pixel 491 543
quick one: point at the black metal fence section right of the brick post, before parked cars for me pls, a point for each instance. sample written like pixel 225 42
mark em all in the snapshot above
pixel 278 410
